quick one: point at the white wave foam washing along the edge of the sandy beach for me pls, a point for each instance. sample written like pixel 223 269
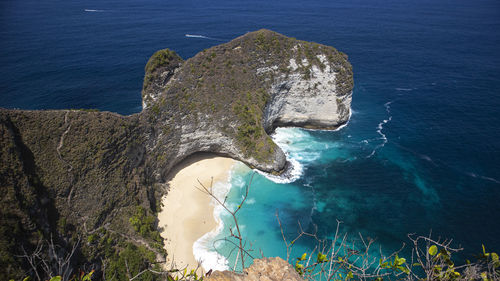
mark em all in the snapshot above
pixel 203 249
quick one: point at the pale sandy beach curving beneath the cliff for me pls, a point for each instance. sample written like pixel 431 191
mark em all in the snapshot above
pixel 187 213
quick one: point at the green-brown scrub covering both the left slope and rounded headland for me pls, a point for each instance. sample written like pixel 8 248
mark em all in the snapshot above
pixel 80 174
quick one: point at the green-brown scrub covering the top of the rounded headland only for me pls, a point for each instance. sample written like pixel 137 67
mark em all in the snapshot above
pixel 225 75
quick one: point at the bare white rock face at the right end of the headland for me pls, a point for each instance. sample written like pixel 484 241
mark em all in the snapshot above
pixel 307 102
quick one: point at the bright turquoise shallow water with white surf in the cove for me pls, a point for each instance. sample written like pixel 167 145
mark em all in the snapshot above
pixel 292 197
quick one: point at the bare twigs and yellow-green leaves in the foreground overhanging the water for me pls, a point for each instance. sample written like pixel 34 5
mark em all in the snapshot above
pixel 343 258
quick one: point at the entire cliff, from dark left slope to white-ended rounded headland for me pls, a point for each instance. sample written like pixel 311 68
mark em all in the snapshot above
pixel 68 173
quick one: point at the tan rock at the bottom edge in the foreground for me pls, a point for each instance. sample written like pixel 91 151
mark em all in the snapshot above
pixel 266 269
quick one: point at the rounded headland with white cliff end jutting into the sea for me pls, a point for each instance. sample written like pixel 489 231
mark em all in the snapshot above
pixel 227 98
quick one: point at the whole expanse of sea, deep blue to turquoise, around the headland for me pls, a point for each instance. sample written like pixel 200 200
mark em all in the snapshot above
pixel 421 151
